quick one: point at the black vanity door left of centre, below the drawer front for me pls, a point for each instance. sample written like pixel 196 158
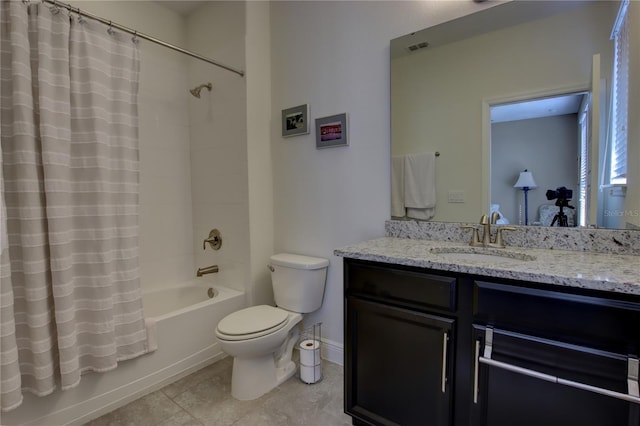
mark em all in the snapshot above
pixel 397 365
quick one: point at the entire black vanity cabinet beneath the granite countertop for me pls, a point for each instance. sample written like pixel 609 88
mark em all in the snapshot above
pixel 426 347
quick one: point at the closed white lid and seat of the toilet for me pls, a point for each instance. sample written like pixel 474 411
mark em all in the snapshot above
pixel 252 322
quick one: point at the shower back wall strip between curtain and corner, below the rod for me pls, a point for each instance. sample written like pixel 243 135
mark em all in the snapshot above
pixel 166 233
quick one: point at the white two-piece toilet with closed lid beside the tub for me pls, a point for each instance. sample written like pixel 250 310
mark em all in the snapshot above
pixel 261 338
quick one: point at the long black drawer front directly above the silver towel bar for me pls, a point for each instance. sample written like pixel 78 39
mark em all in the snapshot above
pixel 609 323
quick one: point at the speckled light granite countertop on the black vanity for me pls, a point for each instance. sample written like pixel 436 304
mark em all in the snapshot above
pixel 598 271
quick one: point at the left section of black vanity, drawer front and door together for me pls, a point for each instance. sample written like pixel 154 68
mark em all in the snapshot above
pixel 400 330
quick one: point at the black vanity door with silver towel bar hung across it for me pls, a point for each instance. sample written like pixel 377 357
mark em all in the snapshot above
pixel 527 381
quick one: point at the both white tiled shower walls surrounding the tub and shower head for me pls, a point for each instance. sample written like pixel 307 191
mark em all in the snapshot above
pixel 193 152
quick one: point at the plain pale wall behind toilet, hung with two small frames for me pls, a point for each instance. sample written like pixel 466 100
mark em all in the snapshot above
pixel 335 57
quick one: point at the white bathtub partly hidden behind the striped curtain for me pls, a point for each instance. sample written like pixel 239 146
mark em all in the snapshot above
pixel 185 319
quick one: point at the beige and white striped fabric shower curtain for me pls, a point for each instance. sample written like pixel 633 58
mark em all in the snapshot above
pixel 70 295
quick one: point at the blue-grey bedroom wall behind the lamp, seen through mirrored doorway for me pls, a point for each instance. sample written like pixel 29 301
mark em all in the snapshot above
pixel 547 147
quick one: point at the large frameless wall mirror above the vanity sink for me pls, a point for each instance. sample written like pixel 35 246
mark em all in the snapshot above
pixel 452 89
